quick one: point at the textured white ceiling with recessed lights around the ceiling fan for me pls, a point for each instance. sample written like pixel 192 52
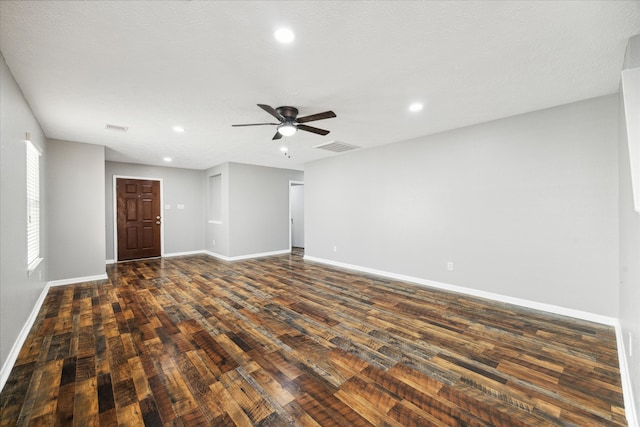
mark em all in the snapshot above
pixel 205 65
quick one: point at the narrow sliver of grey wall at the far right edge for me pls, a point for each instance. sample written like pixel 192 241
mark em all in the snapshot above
pixel 629 255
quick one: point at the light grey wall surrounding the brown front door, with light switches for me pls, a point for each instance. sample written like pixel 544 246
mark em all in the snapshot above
pixel 183 228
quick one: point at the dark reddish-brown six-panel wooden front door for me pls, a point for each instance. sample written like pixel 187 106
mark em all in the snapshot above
pixel 138 218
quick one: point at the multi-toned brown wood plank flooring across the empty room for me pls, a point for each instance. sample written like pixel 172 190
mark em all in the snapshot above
pixel 193 341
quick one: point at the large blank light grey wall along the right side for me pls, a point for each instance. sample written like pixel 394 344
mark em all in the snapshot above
pixel 524 207
